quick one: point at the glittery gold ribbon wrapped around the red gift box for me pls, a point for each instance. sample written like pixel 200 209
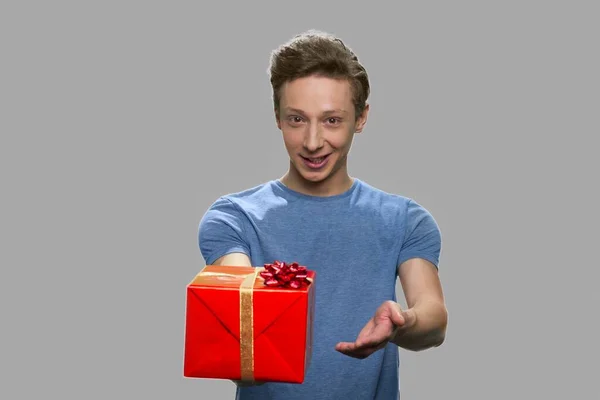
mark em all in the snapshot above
pixel 246 319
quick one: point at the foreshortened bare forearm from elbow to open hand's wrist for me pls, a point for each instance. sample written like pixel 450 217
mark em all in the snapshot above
pixel 428 329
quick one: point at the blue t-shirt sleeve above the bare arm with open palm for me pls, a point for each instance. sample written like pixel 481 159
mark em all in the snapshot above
pixel 422 237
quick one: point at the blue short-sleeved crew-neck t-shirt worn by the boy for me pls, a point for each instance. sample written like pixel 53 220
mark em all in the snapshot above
pixel 355 242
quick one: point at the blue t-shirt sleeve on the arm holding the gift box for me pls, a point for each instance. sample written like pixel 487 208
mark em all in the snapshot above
pixel 221 231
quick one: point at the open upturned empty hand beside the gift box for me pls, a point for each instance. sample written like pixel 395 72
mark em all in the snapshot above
pixel 388 321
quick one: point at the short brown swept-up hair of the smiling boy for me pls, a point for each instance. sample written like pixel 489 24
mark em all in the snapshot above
pixel 318 53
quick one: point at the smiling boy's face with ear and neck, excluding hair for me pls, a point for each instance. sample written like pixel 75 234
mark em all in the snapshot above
pixel 317 119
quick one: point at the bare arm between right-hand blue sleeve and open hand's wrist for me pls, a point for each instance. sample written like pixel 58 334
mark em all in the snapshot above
pixel 426 314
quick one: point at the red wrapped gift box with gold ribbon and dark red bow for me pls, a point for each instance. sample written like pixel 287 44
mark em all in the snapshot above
pixel 244 326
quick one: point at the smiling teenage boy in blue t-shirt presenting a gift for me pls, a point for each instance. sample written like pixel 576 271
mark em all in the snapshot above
pixel 357 238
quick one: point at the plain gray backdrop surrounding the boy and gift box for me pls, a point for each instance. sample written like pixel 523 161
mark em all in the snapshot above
pixel 123 121
